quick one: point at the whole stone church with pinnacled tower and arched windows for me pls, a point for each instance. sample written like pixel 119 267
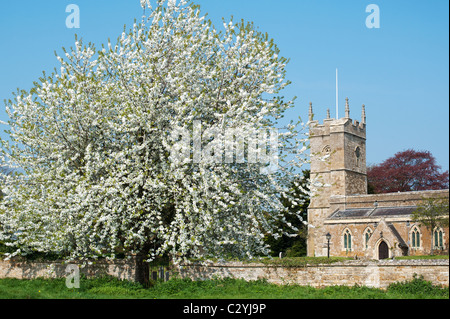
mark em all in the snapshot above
pixel 344 220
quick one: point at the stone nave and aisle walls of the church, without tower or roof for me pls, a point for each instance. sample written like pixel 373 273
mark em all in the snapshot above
pixel 378 226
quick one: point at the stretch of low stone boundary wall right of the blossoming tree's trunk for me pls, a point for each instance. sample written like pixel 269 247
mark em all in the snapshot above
pixel 378 274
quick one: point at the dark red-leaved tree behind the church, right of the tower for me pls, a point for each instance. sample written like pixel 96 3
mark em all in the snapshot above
pixel 409 170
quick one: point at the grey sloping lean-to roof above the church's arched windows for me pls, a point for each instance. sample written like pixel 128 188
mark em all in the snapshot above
pixel 372 212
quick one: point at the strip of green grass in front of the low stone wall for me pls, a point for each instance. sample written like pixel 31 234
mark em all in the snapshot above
pixel 106 288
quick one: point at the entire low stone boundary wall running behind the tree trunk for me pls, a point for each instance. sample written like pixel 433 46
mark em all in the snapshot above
pixel 378 274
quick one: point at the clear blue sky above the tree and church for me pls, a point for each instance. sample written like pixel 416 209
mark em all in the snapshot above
pixel 399 71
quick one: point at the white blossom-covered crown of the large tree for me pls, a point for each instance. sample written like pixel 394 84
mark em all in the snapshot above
pixel 91 147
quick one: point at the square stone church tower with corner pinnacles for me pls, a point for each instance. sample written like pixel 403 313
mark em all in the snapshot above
pixel 338 168
